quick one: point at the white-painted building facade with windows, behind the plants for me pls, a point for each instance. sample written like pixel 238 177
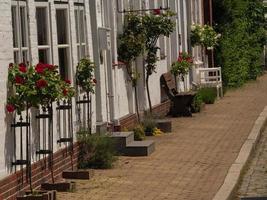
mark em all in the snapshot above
pixel 61 32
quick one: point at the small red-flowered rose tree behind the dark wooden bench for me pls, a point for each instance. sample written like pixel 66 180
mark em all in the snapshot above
pixel 181 66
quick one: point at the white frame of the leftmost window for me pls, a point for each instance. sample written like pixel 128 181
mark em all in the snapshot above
pixel 20 49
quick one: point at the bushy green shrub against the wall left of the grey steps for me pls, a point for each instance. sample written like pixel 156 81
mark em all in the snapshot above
pixel 96 151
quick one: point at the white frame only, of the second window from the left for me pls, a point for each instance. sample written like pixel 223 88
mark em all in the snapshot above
pixel 47 47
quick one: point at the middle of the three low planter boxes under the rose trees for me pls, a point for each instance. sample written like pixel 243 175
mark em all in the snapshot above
pixel 59 187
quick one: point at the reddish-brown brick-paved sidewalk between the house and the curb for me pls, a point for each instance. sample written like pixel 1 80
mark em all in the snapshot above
pixel 188 164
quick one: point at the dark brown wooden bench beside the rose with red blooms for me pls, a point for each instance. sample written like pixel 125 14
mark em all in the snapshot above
pixel 181 102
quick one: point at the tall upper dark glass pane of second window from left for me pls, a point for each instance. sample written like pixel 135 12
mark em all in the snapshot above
pixel 42 26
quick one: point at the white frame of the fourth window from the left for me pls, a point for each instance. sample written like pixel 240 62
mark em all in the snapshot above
pixel 79 44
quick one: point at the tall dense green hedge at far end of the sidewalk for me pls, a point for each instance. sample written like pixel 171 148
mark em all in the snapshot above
pixel 243 29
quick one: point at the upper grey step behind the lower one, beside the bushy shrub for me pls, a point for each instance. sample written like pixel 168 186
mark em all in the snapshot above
pixel 122 139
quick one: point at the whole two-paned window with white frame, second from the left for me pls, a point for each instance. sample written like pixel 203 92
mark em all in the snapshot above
pixel 43 33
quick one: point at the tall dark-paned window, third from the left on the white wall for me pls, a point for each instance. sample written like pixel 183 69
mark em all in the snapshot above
pixel 63 41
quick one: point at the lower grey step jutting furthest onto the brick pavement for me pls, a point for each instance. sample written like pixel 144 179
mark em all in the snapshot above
pixel 140 148
